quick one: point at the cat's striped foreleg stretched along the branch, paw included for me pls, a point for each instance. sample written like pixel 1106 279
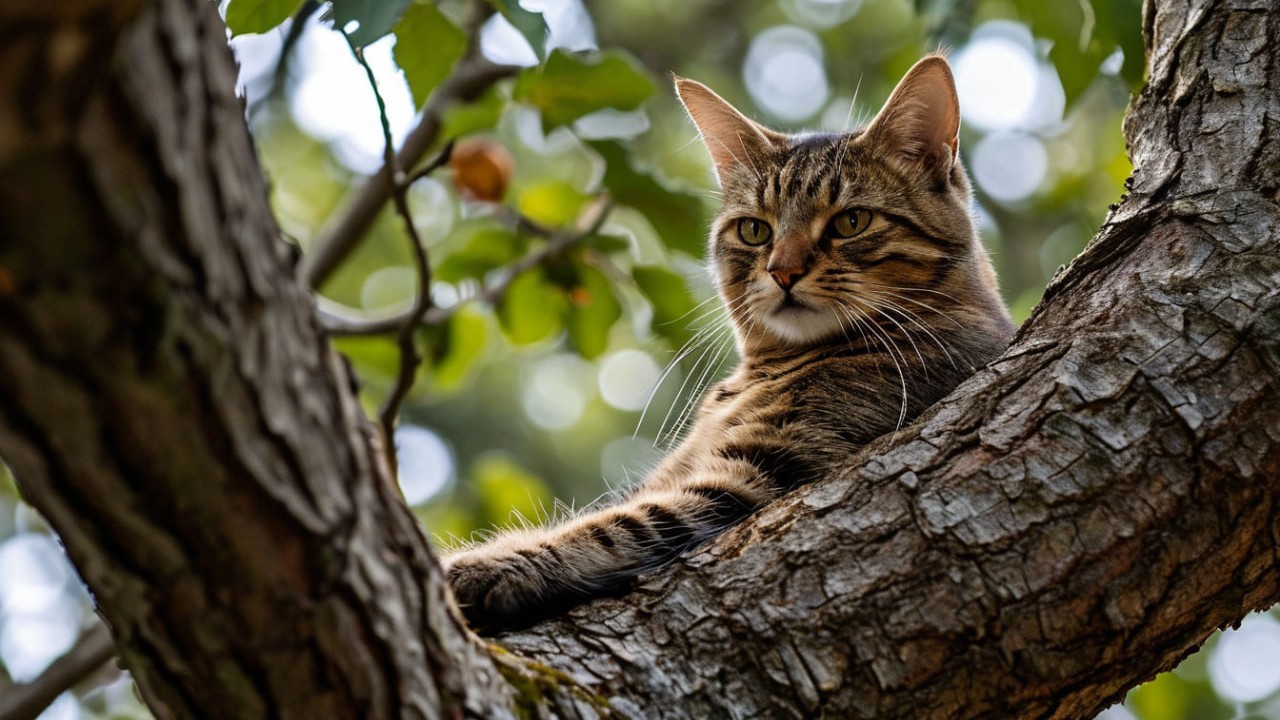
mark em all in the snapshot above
pixel 524 576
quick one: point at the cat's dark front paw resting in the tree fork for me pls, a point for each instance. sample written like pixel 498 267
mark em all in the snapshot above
pixel 497 591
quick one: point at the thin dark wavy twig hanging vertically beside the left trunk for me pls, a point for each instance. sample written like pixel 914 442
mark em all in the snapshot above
pixel 405 339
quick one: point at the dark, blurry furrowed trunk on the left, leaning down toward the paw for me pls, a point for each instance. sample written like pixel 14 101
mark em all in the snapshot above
pixel 172 407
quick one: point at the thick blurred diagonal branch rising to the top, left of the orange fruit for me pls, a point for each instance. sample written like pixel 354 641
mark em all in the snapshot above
pixel 470 79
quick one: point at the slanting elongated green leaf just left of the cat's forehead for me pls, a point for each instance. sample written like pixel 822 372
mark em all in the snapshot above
pixel 678 216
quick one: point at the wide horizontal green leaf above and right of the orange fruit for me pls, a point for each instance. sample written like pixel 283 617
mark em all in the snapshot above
pixel 570 86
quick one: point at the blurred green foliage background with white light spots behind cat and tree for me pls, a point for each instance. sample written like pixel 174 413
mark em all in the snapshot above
pixel 582 373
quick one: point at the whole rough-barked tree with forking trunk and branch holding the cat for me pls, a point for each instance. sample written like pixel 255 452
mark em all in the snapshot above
pixel 1073 520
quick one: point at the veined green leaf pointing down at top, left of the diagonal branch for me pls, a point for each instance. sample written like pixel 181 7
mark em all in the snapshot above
pixel 428 45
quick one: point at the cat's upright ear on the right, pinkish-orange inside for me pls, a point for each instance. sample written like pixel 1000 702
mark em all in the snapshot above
pixel 921 122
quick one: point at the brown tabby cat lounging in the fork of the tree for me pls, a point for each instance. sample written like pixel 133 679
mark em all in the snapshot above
pixel 860 295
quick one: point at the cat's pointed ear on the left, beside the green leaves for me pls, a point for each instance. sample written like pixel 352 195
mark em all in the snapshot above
pixel 733 139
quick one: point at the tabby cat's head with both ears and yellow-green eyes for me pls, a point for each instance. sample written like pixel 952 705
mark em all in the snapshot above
pixel 821 233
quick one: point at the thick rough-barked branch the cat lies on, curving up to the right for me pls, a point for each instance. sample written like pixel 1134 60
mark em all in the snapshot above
pixel 1077 518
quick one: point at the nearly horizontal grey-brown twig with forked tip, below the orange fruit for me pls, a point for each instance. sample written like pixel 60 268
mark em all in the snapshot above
pixel 340 321
